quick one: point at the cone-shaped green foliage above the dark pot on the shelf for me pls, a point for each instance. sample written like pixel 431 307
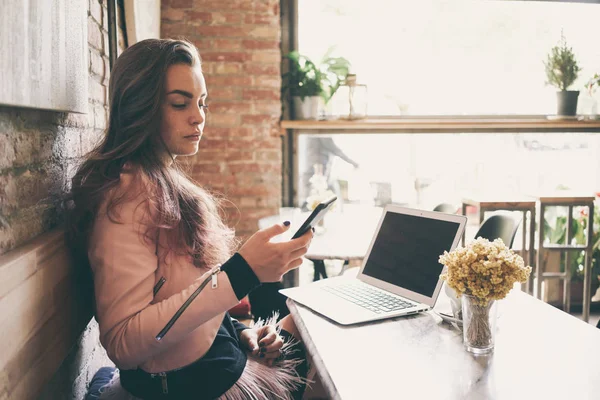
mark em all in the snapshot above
pixel 561 67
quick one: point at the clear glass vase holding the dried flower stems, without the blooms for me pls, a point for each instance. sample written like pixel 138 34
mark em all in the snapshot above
pixel 479 324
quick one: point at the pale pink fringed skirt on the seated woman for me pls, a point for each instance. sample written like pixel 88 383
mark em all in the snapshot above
pixel 284 380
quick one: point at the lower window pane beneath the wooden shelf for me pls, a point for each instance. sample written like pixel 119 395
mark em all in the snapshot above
pixel 428 169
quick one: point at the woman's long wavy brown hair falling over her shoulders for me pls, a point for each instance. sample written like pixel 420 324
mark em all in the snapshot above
pixel 189 215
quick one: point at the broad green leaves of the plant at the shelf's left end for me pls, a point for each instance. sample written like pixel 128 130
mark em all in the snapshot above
pixel 305 78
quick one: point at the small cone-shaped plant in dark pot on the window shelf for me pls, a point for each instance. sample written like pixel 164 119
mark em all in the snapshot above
pixel 562 71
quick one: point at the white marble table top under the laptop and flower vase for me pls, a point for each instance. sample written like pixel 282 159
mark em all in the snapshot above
pixel 541 353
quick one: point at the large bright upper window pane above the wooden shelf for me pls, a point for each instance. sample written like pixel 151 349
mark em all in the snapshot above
pixel 453 57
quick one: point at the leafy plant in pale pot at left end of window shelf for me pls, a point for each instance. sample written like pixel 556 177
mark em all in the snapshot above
pixel 308 83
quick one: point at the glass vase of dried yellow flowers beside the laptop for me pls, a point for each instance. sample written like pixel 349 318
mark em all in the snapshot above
pixel 482 272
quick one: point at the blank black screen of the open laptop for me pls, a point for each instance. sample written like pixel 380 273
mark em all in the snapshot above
pixel 407 249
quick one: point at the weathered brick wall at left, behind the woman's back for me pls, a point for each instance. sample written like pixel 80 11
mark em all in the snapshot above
pixel 38 155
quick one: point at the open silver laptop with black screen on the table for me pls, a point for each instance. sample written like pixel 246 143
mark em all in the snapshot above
pixel 400 274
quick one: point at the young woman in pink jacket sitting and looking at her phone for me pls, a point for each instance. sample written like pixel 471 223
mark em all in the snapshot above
pixel 161 257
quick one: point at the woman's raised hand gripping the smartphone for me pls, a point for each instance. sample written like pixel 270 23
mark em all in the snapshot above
pixel 270 261
